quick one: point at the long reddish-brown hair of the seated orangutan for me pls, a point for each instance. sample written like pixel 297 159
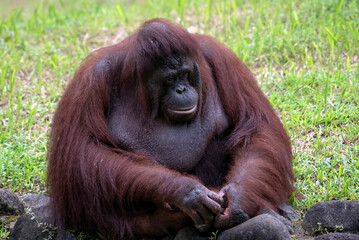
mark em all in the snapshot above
pixel 93 182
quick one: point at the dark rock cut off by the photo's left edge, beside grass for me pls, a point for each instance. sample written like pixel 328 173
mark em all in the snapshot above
pixel 10 203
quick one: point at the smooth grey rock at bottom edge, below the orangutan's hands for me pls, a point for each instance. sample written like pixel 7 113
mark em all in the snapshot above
pixel 264 227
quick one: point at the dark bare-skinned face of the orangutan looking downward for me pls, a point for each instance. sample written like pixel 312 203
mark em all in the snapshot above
pixel 175 84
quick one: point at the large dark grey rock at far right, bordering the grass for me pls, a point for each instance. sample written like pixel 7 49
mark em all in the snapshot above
pixel 333 216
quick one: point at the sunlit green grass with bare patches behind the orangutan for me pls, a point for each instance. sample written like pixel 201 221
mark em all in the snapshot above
pixel 304 54
